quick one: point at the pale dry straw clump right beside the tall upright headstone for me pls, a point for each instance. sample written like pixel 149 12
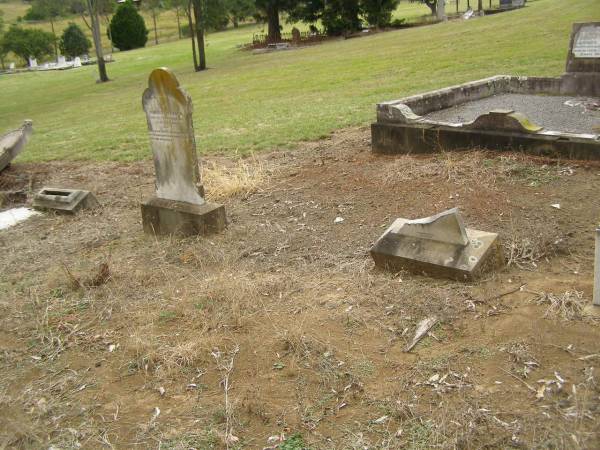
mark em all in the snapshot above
pixel 243 178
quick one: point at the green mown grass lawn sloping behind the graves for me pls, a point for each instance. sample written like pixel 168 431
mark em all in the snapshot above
pixel 249 102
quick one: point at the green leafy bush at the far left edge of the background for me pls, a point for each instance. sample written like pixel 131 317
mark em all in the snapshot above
pixel 28 42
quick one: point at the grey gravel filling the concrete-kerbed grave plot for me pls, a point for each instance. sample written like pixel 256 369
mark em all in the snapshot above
pixel 577 115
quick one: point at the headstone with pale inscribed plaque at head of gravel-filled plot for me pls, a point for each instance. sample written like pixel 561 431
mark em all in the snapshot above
pixel 582 75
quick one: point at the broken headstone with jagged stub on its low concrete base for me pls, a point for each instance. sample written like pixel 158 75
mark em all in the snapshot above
pixel 440 246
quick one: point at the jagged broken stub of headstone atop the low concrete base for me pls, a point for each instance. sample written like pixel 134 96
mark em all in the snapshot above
pixel 446 227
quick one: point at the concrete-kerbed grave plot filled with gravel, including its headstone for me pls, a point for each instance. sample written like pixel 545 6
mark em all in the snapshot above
pixel 552 127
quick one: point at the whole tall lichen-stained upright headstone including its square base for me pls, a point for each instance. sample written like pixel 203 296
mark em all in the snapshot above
pixel 179 206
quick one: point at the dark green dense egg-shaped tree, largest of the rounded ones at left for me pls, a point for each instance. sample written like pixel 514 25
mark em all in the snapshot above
pixel 127 28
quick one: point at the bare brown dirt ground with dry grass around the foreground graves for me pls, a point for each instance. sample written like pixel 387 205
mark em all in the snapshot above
pixel 282 324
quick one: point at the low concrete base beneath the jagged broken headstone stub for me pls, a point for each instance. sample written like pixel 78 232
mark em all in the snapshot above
pixel 395 252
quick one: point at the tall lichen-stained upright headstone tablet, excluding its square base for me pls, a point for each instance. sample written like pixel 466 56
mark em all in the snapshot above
pixel 169 114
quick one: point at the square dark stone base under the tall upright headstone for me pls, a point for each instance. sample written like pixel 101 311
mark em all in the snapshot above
pixel 164 217
